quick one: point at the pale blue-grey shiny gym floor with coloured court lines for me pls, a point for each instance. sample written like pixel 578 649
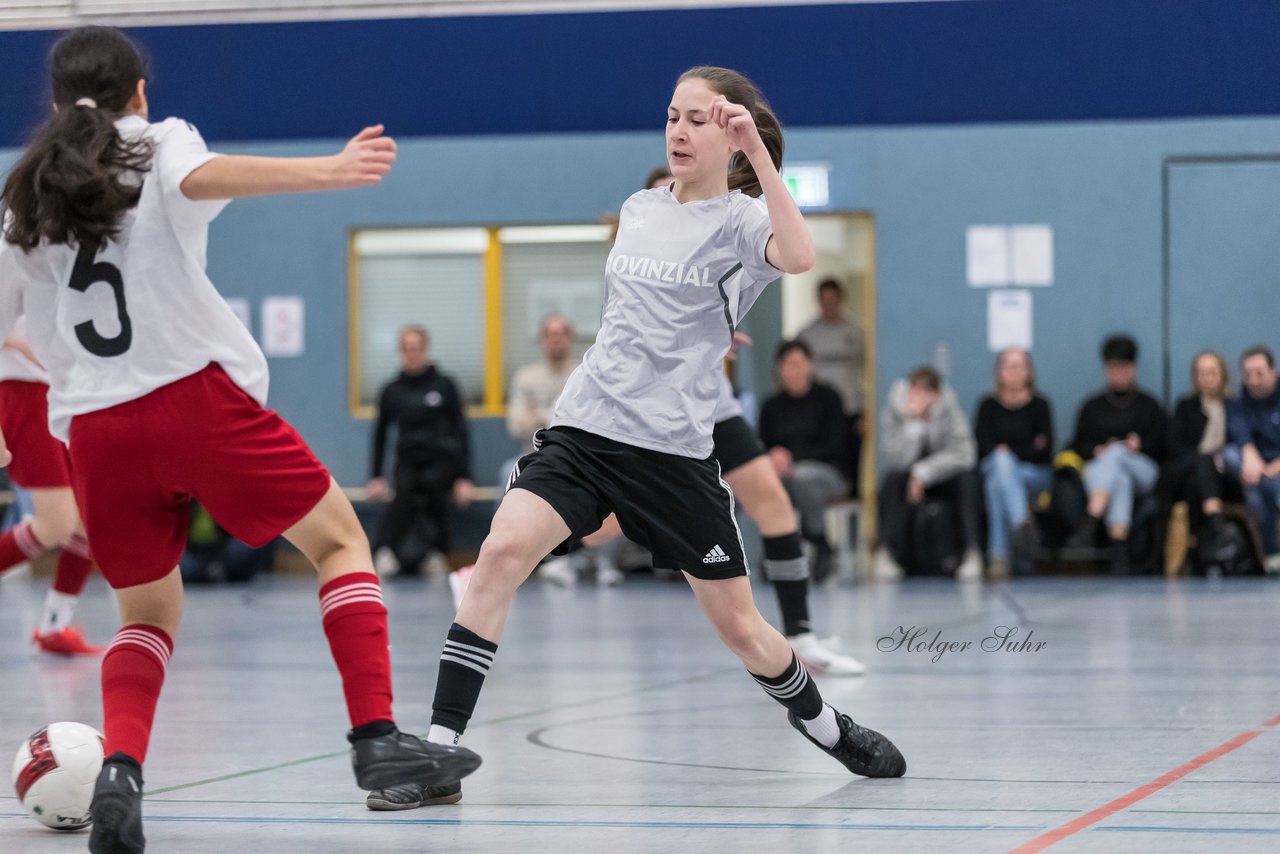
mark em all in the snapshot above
pixel 1141 716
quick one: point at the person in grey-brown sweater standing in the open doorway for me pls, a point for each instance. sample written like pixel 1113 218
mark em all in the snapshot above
pixel 839 351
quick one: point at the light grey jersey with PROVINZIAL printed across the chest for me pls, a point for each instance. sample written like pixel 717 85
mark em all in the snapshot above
pixel 678 282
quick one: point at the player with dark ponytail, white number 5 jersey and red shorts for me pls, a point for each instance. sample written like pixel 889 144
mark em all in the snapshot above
pixel 159 391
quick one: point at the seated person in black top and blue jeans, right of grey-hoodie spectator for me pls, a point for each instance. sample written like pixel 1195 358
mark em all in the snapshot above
pixel 1016 445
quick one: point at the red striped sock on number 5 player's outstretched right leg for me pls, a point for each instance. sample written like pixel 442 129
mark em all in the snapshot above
pixel 355 623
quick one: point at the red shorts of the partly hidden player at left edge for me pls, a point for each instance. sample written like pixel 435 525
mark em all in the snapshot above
pixel 39 459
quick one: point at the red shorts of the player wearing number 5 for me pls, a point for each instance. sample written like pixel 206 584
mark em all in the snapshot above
pixel 138 467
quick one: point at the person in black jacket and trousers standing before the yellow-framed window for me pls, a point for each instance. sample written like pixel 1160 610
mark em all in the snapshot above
pixel 433 458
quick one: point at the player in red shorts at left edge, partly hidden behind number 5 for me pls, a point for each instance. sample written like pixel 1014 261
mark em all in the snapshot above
pixel 42 468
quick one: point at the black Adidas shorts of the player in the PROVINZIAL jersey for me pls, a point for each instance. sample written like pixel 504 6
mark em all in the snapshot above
pixel 678 508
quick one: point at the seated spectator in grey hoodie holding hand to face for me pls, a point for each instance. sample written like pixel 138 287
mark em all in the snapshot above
pixel 931 453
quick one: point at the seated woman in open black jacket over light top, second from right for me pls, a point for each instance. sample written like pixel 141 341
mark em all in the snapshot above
pixel 1197 436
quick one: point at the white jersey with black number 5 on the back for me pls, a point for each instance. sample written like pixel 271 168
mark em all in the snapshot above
pixel 139 314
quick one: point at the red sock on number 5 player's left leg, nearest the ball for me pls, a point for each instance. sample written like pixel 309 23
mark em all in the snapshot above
pixel 132 677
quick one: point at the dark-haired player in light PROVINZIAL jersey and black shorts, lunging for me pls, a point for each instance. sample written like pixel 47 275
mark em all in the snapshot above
pixel 633 432
